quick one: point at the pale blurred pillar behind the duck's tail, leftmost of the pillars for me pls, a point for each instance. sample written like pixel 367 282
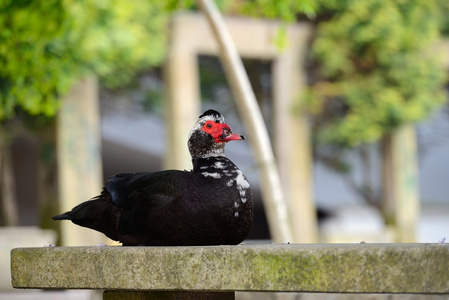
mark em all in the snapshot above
pixel 79 160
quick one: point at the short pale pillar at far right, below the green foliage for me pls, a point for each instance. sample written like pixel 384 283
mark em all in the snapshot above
pixel 400 183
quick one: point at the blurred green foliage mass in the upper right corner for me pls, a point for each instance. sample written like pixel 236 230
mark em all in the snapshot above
pixel 375 68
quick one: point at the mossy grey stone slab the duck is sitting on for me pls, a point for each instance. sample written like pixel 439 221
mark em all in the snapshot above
pixel 336 268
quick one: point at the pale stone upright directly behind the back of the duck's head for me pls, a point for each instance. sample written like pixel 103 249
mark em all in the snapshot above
pixel 183 99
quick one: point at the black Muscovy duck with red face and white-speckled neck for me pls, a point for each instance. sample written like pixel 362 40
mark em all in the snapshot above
pixel 210 205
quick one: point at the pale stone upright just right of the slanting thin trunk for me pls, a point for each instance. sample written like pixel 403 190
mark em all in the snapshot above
pixel 292 142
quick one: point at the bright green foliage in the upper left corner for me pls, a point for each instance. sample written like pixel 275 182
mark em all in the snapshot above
pixel 45 46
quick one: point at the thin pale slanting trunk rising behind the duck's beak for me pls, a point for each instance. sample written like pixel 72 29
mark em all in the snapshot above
pixel 275 207
